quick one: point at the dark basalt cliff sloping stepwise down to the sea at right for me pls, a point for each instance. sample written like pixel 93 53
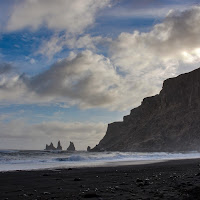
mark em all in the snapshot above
pixel 169 121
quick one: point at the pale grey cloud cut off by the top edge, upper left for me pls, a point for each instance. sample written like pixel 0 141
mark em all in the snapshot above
pixel 71 16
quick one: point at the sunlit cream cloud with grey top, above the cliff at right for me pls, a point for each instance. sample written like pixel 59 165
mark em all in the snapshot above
pixel 176 39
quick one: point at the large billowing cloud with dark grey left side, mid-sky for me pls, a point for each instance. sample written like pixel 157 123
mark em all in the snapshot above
pixel 88 79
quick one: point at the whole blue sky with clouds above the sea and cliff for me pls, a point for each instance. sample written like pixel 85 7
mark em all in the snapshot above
pixel 70 67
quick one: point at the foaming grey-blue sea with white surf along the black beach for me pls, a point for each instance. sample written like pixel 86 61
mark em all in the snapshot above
pixel 11 160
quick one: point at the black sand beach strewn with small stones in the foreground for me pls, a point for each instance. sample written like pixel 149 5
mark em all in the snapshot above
pixel 179 179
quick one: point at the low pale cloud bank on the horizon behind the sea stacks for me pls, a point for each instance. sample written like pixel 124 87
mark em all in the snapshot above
pixel 18 133
